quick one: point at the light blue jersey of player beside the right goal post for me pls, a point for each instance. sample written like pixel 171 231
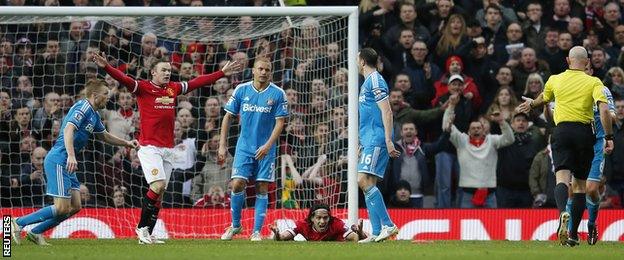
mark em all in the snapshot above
pixel 373 90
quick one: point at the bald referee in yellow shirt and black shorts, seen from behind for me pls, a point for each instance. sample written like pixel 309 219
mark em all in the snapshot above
pixel 573 137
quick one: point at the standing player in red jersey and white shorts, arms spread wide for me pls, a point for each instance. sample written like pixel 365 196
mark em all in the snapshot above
pixel 157 100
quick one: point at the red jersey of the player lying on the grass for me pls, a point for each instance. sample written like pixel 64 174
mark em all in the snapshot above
pixel 337 231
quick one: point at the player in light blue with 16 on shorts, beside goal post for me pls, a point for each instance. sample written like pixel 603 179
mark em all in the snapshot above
pixel 376 144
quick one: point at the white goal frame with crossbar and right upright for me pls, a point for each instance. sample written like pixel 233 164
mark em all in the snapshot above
pixel 267 21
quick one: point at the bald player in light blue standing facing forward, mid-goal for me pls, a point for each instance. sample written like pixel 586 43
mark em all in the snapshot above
pixel 262 109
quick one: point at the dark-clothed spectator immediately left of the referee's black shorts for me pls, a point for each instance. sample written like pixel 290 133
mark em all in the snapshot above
pixel 542 179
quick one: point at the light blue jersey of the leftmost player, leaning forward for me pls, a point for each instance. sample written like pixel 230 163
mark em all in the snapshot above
pixel 86 120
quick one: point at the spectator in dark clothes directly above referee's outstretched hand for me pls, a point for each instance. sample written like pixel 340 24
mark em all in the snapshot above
pixel 528 64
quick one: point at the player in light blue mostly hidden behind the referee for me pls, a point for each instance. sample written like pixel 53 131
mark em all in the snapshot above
pixel 594 179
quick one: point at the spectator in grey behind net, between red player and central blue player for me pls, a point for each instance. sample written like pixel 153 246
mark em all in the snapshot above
pixel 212 174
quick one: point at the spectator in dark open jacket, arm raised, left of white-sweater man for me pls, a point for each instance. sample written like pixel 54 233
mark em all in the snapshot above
pixel 411 165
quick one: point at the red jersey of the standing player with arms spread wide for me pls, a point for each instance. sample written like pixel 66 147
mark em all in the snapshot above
pixel 158 105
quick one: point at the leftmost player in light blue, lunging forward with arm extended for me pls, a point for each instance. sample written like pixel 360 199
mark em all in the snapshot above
pixel 60 164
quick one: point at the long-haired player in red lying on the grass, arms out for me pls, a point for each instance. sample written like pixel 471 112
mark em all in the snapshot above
pixel 320 225
